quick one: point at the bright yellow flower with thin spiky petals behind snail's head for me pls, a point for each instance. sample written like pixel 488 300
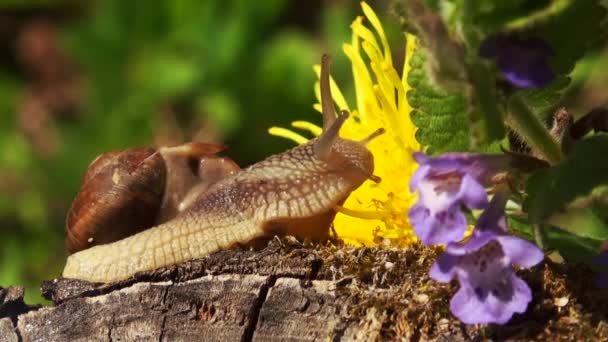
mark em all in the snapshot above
pixel 374 212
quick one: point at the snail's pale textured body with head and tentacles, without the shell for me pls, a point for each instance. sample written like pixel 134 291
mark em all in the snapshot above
pixel 291 193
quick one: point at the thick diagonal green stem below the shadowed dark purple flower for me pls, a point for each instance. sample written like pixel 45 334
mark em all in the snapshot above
pixel 532 131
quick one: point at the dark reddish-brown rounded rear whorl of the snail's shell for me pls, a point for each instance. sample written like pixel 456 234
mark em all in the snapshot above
pixel 119 191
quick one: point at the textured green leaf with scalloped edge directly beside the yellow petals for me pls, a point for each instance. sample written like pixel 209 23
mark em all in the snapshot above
pixel 439 115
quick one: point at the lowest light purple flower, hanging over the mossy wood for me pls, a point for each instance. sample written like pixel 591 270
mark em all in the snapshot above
pixel 490 291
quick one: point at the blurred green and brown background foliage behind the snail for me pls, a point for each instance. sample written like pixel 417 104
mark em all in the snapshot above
pixel 78 78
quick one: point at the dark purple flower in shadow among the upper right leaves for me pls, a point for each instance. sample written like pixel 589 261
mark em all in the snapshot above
pixel 524 62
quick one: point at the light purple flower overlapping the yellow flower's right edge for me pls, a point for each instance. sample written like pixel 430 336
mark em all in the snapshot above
pixel 445 184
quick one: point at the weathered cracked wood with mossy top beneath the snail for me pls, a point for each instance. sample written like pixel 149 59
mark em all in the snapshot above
pixel 288 291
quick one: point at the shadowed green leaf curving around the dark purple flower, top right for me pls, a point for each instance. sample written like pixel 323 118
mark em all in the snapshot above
pixel 570 27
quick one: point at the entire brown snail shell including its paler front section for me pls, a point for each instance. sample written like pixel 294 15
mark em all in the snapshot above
pixel 125 192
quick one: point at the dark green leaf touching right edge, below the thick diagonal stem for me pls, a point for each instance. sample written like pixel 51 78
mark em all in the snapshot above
pixel 585 168
